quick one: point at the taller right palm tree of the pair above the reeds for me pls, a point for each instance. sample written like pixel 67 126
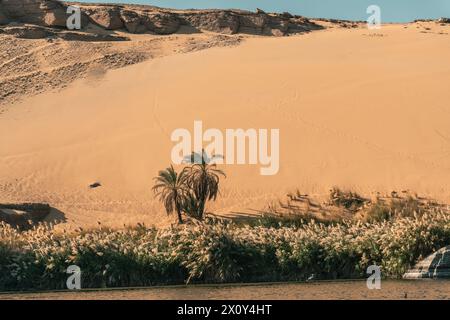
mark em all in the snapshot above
pixel 203 178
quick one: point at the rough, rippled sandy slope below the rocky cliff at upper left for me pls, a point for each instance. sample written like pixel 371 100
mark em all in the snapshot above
pixel 32 66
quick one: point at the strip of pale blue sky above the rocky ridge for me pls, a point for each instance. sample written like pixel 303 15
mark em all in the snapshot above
pixel 391 10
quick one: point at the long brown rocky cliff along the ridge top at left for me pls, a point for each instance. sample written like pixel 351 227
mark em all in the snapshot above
pixel 142 19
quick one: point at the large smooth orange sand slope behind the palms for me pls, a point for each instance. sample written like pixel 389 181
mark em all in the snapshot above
pixel 355 108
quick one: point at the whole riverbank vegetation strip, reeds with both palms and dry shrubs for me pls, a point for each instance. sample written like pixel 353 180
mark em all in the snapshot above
pixel 295 240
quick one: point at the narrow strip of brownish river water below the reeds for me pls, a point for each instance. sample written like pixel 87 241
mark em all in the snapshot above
pixel 390 289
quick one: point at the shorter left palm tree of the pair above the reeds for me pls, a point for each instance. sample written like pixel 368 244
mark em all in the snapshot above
pixel 170 188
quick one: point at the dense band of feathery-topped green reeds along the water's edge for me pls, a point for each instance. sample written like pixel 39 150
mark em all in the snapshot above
pixel 219 251
